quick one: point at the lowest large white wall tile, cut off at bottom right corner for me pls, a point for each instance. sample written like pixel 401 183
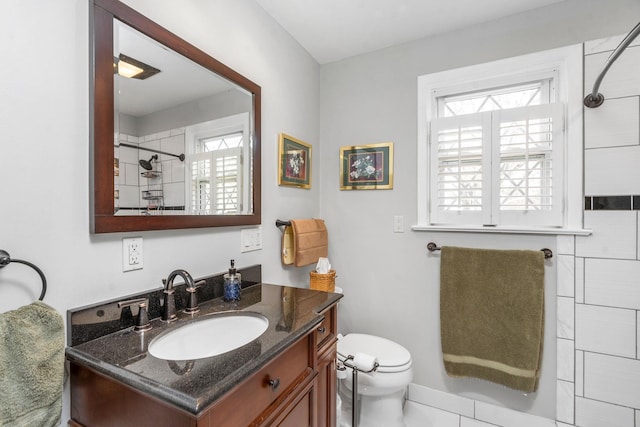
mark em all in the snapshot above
pixel 591 413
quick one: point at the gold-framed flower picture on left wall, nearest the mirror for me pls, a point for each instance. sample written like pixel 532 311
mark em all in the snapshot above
pixel 294 165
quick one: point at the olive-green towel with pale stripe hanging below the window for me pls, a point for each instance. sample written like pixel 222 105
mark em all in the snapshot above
pixel 492 315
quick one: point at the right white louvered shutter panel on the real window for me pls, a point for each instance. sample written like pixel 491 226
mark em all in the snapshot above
pixel 529 152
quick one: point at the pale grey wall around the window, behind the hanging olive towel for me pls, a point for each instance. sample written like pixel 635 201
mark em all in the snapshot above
pixel 390 281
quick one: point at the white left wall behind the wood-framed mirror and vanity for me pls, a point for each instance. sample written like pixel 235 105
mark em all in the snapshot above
pixel 44 149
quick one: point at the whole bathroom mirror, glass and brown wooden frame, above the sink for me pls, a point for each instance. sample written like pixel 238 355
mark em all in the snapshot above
pixel 176 142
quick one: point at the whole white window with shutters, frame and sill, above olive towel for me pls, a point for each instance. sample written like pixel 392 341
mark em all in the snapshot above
pixel 493 144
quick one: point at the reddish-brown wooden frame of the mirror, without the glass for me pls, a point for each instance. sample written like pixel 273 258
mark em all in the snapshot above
pixel 103 219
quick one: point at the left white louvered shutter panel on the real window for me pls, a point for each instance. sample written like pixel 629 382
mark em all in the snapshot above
pixel 460 148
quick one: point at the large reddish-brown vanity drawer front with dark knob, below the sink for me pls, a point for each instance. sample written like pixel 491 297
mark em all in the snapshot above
pixel 250 401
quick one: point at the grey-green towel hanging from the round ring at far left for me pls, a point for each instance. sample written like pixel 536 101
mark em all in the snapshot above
pixel 31 366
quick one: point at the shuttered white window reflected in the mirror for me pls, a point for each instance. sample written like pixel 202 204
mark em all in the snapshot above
pixel 216 176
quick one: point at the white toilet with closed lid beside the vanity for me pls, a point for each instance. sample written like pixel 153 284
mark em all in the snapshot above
pixel 380 392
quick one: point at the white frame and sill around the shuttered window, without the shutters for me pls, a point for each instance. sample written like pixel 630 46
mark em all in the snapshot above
pixel 565 66
